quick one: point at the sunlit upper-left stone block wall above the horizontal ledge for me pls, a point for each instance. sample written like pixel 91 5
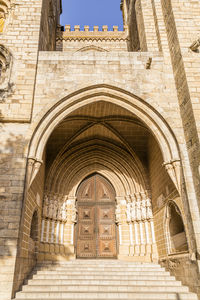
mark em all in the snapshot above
pixel 21 38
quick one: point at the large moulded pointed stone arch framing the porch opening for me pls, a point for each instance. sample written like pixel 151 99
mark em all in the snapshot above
pixel 145 112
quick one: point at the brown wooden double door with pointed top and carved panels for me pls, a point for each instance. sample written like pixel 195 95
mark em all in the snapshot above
pixel 96 228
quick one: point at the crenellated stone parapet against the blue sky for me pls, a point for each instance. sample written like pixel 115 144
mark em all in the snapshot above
pixel 94 34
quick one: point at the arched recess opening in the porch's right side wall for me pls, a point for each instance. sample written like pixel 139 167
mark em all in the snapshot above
pixel 176 236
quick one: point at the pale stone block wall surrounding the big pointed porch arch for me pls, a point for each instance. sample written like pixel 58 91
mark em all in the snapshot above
pixel 168 25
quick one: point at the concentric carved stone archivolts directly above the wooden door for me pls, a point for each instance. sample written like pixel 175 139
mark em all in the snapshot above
pixel 127 175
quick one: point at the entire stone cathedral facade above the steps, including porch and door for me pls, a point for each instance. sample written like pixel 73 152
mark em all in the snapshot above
pixel 99 138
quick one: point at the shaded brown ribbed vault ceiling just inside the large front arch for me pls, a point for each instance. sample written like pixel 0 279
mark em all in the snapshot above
pixel 103 121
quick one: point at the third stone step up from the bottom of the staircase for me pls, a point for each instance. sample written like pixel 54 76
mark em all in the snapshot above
pixel 103 281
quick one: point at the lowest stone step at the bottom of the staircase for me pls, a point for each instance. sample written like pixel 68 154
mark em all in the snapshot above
pixel 104 296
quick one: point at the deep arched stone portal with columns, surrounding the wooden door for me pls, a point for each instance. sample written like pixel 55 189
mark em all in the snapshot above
pixel 106 130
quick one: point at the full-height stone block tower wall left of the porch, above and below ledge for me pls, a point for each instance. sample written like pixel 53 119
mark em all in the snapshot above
pixel 20 38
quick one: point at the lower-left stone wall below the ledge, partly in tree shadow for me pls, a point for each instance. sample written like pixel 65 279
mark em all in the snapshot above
pixel 12 176
